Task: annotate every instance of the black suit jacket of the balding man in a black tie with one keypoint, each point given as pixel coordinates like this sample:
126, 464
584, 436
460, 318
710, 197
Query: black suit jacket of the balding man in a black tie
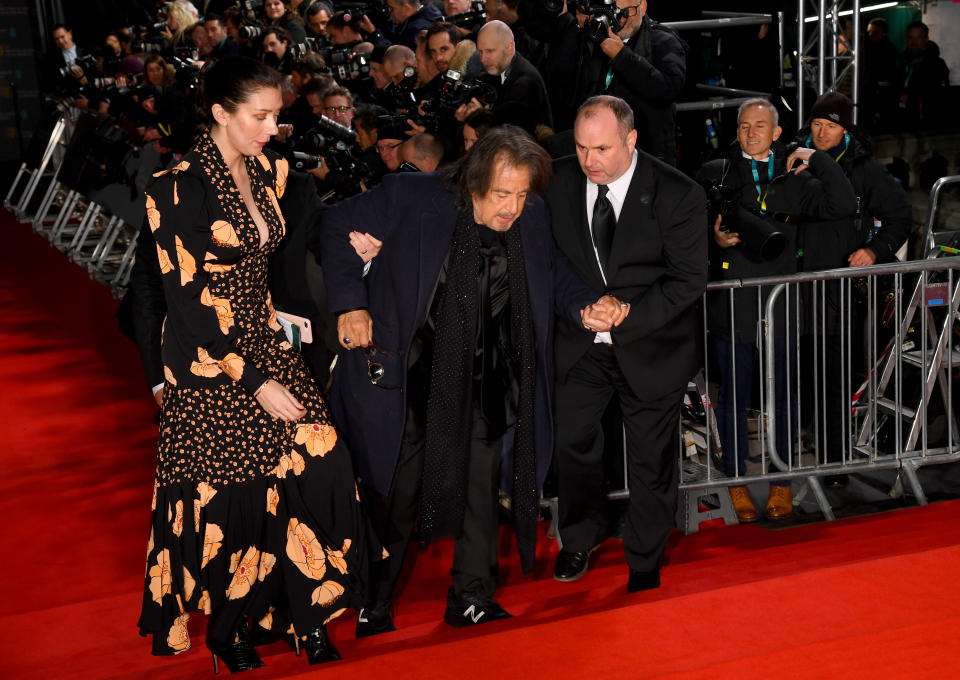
658, 264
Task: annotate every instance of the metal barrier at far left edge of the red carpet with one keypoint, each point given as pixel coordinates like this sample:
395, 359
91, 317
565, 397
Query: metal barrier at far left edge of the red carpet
76, 221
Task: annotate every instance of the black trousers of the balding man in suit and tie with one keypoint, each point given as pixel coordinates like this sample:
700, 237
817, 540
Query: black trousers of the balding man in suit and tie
651, 428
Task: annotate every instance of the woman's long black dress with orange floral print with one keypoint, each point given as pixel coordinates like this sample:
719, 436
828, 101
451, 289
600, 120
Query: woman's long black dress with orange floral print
252, 516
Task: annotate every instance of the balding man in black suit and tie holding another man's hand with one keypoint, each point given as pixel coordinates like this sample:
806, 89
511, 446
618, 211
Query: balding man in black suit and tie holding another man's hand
633, 228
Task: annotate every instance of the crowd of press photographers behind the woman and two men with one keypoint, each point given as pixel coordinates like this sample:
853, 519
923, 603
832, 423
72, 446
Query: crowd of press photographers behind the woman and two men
374, 86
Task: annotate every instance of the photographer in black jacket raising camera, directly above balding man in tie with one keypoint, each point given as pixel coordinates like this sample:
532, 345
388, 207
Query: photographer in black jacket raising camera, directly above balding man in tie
643, 63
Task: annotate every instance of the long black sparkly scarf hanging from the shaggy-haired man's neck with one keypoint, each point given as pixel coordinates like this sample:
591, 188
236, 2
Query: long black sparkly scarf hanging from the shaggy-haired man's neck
449, 402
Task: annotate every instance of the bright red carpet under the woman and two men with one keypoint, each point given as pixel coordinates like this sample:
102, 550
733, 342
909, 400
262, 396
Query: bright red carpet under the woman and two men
874, 597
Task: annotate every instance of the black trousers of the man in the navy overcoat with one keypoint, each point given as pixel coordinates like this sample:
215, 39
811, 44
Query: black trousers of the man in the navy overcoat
395, 515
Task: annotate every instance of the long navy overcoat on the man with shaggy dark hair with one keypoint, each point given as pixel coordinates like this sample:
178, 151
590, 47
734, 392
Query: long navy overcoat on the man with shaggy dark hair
415, 216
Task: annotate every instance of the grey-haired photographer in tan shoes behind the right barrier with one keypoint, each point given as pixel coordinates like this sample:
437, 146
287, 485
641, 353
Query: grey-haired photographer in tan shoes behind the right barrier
754, 193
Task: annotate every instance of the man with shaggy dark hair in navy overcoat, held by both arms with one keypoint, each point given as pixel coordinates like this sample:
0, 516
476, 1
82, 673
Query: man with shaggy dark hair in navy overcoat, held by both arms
444, 391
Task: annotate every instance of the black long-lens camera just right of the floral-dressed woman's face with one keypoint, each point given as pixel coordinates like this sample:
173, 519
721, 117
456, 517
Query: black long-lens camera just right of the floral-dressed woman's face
333, 144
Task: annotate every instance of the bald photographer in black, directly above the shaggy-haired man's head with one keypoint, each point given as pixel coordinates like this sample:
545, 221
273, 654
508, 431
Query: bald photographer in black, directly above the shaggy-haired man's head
522, 96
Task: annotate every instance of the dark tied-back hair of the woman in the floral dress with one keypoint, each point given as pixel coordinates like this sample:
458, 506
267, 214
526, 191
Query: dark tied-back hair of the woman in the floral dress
230, 82
